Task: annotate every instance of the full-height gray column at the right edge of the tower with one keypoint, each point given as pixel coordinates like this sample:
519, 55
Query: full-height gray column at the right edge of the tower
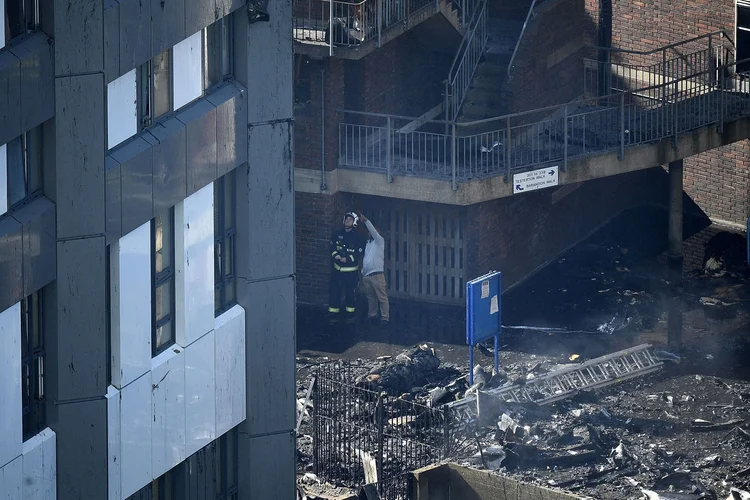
265, 253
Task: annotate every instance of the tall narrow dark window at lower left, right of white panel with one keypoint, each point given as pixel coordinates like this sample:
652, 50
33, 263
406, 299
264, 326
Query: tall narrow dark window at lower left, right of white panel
32, 365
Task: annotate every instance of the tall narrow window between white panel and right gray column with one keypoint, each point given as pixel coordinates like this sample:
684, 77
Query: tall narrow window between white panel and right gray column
225, 292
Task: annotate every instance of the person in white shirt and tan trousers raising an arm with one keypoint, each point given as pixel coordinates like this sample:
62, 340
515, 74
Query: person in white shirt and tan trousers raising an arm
373, 279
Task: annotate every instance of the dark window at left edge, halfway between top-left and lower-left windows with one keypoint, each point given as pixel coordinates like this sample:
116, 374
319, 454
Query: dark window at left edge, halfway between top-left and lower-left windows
24, 167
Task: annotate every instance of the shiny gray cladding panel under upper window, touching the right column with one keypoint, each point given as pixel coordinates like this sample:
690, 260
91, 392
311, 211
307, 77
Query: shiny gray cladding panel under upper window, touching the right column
231, 135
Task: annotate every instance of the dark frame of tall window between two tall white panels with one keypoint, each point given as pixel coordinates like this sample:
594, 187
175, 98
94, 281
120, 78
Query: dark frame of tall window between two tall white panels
158, 279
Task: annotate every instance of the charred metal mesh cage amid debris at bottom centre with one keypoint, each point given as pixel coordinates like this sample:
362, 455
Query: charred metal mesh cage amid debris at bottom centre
361, 436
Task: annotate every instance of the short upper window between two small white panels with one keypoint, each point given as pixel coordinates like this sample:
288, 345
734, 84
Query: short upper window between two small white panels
154, 87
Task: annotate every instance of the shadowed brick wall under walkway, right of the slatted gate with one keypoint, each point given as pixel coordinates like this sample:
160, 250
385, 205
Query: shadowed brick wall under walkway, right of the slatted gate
519, 234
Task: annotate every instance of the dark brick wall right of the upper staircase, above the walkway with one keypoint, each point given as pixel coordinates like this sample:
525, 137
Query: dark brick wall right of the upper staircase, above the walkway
548, 68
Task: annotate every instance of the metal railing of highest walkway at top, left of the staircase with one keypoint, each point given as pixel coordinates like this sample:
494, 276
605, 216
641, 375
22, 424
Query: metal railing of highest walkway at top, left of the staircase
350, 23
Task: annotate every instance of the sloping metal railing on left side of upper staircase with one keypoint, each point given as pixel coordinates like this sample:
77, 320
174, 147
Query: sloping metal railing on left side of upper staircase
466, 61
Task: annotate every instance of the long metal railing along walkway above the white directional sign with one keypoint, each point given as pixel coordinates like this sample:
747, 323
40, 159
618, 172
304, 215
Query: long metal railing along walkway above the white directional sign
688, 99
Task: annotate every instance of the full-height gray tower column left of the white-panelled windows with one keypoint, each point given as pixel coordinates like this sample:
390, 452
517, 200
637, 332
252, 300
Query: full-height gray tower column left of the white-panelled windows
77, 353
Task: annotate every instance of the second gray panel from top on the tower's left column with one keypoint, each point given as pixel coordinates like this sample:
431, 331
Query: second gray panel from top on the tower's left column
79, 142
